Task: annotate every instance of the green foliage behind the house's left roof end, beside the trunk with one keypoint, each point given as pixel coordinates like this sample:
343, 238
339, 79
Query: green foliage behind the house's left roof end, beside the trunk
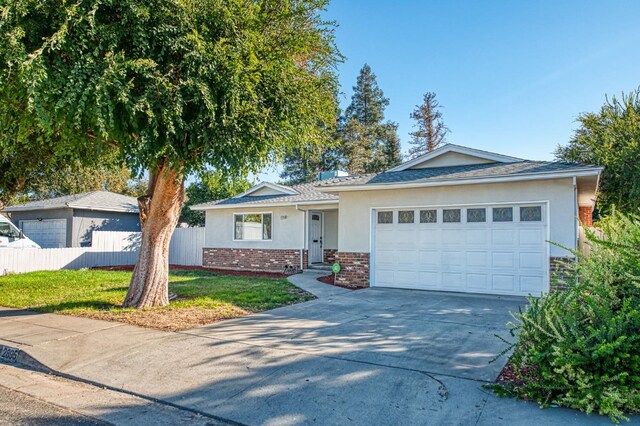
210, 186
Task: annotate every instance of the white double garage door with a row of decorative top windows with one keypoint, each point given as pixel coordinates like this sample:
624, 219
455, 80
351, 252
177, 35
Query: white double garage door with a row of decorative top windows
478, 249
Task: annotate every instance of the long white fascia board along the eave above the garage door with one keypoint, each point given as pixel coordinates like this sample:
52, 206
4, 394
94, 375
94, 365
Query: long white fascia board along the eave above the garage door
499, 179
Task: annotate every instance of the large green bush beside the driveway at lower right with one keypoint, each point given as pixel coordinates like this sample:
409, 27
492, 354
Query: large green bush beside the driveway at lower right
580, 348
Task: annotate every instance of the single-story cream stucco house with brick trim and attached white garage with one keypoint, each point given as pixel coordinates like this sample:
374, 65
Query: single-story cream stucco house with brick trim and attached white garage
455, 219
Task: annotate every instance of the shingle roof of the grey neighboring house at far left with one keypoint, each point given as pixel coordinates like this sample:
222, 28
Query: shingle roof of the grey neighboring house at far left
96, 200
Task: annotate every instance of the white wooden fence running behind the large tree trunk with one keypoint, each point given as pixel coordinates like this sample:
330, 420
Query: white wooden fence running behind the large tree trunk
107, 249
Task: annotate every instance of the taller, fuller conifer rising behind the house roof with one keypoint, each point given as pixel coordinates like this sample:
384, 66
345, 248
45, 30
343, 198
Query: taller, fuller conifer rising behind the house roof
370, 144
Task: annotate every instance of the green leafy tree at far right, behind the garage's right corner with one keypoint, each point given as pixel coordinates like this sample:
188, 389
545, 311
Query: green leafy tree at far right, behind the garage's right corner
611, 138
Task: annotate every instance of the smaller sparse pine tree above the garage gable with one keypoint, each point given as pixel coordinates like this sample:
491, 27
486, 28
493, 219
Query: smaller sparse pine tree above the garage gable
430, 130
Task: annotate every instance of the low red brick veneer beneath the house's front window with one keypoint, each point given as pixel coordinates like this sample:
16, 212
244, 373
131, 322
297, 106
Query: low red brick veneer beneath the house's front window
270, 260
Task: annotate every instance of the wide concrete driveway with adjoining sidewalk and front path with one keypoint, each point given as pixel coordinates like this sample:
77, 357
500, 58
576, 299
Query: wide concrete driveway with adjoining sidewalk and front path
366, 357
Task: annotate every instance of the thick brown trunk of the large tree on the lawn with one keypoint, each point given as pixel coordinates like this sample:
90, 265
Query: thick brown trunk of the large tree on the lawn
159, 214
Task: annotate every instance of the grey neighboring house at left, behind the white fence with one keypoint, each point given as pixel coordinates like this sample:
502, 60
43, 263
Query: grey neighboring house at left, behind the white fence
69, 220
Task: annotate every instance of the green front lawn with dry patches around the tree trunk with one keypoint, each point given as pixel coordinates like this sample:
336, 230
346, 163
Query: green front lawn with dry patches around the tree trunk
202, 297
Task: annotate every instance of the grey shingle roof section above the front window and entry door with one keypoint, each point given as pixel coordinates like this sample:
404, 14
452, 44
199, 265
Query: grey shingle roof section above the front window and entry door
304, 192
